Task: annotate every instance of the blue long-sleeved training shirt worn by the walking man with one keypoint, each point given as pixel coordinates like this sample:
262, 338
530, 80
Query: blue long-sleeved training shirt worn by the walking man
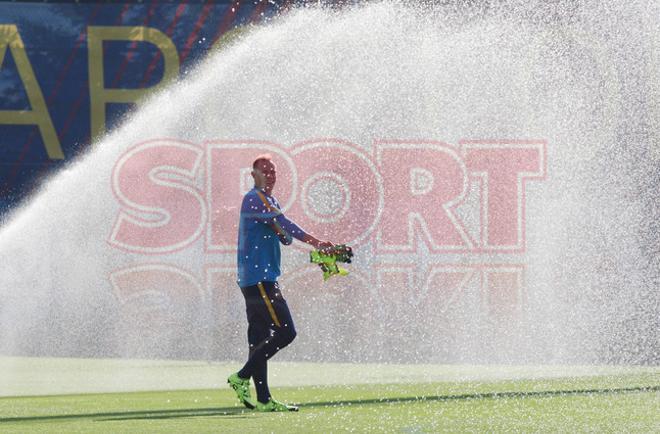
261, 229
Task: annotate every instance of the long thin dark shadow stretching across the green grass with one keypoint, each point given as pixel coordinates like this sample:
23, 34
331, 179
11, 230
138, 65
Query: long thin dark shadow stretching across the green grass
241, 412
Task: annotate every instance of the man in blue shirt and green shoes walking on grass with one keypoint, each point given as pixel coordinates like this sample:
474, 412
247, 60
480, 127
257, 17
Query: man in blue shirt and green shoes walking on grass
262, 227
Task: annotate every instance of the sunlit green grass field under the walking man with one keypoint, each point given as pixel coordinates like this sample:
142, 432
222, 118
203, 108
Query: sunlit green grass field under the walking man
356, 398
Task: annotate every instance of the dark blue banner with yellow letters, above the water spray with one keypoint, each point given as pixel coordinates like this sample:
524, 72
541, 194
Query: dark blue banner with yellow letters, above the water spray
70, 70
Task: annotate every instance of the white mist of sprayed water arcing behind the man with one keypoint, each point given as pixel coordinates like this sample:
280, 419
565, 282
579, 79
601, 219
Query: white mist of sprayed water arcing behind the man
582, 75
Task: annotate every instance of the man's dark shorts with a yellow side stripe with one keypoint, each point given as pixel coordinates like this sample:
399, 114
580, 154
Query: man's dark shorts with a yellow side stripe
267, 312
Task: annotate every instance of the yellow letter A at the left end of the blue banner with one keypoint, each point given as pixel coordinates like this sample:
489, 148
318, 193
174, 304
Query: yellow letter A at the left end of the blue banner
39, 115
